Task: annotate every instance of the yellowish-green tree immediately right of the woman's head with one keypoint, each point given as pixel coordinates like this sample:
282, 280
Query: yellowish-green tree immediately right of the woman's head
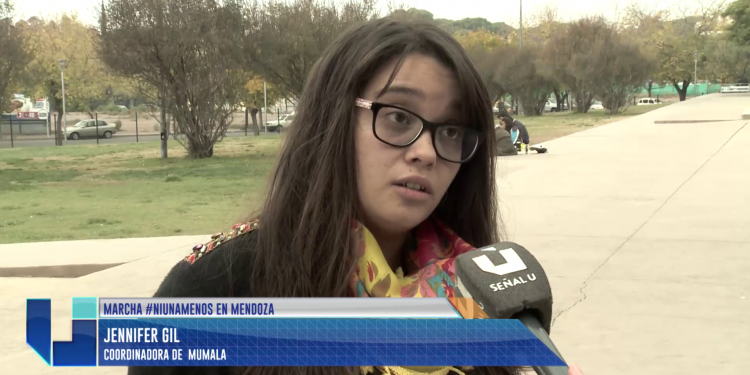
485, 51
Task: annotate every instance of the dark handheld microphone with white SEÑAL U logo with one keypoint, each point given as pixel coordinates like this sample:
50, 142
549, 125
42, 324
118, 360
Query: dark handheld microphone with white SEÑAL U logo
507, 282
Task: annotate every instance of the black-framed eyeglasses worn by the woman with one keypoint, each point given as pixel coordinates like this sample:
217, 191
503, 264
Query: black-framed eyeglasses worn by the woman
399, 127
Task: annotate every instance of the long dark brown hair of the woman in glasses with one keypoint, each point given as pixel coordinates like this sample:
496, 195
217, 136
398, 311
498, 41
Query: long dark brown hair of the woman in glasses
304, 244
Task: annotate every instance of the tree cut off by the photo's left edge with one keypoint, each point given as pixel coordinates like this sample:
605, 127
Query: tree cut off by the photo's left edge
14, 55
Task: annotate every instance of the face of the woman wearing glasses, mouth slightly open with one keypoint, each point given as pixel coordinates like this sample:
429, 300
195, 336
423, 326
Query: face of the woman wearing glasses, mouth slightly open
427, 88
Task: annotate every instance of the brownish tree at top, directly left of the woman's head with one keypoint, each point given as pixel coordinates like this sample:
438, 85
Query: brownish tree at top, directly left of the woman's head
286, 38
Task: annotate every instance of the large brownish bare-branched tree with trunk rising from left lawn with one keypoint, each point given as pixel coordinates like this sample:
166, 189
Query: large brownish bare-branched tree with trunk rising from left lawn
187, 50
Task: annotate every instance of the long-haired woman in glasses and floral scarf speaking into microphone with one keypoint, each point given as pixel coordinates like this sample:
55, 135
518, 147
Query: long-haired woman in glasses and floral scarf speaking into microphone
388, 170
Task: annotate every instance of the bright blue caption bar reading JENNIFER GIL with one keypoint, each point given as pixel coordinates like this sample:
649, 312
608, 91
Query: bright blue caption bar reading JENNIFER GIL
320, 342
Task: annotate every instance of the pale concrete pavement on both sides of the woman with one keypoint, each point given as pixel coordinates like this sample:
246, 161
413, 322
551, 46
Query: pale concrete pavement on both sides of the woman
643, 228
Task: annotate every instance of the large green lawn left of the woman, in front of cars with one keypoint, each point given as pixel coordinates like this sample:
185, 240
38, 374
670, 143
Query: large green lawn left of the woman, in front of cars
127, 190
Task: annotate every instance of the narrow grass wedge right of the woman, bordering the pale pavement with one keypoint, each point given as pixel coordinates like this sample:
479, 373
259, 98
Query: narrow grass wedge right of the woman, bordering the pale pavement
555, 125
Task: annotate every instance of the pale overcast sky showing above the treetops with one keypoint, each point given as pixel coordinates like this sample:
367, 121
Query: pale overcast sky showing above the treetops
493, 10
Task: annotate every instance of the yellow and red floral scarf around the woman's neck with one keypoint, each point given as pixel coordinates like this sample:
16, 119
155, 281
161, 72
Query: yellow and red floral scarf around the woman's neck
429, 272
